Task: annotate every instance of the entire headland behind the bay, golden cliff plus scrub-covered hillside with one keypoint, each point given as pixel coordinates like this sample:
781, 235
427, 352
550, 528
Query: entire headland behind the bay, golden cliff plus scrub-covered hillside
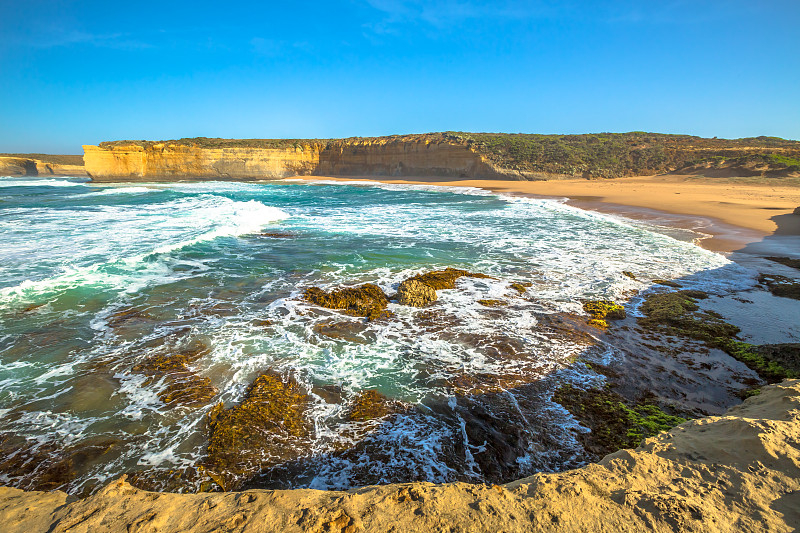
449, 155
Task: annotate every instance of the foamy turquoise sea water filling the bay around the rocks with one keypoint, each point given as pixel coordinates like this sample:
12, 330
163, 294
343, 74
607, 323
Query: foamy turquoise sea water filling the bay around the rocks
96, 278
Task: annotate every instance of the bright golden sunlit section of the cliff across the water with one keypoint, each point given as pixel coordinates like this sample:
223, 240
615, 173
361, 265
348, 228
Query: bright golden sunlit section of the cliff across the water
167, 161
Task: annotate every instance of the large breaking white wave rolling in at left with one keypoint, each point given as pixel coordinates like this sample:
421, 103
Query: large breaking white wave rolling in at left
134, 235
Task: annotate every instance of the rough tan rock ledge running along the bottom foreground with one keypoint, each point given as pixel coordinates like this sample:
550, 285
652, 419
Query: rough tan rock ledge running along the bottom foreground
737, 472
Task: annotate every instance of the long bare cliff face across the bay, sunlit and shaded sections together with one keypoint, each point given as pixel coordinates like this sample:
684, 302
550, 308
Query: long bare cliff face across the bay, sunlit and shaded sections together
388, 156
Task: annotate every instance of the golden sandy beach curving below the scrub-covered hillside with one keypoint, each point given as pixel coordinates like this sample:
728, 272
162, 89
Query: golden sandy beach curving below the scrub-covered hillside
734, 214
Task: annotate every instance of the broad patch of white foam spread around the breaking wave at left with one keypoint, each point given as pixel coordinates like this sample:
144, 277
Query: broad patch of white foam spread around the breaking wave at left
116, 256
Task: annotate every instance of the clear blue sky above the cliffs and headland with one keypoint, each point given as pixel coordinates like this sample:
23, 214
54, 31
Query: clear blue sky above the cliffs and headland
82, 72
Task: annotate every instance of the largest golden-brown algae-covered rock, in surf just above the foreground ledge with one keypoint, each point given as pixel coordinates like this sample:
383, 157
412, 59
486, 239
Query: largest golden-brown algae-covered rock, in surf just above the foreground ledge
270, 426
